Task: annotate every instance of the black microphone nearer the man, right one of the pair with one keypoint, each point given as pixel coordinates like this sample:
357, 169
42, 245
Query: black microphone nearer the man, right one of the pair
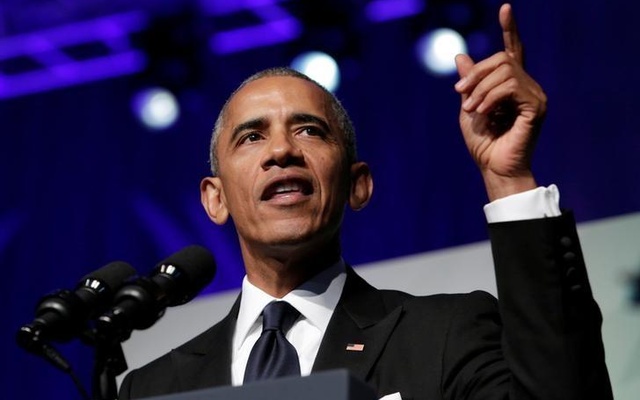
174, 281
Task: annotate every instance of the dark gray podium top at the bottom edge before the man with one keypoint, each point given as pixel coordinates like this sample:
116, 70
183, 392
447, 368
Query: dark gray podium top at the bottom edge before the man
336, 384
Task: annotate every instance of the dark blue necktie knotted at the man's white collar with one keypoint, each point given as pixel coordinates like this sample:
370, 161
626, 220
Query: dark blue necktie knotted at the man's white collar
273, 355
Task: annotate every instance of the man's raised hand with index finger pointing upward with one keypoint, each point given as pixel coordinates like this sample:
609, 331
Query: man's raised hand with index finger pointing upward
501, 113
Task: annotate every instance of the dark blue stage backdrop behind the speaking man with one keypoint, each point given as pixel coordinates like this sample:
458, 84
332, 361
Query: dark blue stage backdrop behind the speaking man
84, 183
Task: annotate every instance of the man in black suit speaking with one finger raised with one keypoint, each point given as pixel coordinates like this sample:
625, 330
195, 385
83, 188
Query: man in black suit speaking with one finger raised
284, 163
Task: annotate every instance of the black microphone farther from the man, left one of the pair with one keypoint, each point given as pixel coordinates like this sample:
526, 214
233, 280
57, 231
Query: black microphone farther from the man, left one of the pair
64, 314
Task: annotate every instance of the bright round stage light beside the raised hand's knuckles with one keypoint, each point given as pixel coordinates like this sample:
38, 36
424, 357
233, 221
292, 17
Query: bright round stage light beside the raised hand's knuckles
437, 49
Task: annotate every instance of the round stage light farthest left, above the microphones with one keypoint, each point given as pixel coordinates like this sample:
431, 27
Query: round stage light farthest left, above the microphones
157, 108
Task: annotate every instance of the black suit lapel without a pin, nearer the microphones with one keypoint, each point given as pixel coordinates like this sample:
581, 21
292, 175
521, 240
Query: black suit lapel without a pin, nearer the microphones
206, 361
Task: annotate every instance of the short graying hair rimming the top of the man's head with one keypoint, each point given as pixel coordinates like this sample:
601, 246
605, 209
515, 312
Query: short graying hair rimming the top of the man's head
339, 113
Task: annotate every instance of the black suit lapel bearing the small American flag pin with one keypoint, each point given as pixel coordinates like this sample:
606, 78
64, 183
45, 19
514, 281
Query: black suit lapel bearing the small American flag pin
361, 317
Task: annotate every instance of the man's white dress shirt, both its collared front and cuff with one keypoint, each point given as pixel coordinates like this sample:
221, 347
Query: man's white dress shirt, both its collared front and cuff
317, 298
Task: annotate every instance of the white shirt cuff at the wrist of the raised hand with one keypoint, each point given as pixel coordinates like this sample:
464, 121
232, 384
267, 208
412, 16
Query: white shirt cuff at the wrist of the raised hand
533, 204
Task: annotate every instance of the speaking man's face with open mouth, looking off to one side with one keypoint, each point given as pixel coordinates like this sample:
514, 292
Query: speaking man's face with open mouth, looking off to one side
283, 174
